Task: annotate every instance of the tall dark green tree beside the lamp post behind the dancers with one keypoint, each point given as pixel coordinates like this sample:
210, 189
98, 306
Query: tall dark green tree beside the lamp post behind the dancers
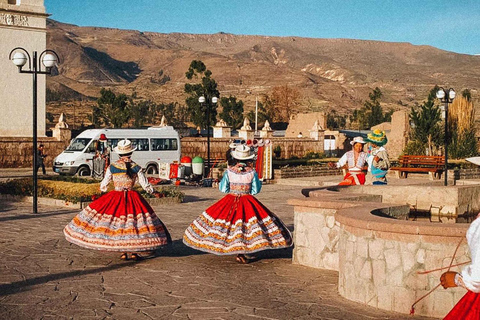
207, 88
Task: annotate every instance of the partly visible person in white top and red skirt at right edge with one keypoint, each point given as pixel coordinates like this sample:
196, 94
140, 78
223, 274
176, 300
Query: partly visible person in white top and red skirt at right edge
468, 308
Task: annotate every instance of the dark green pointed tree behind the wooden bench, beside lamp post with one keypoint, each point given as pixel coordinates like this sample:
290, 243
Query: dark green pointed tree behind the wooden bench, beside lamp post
426, 131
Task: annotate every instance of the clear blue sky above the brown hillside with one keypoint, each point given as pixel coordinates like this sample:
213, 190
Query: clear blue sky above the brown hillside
449, 25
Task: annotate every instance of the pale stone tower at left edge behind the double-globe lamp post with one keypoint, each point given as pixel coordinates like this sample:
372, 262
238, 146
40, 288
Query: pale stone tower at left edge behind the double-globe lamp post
22, 24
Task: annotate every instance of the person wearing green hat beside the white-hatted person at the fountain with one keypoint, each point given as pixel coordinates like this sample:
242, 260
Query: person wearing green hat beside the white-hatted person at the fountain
378, 162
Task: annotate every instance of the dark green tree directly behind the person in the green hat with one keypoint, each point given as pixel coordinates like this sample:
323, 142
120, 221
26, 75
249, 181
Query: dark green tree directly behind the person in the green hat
371, 113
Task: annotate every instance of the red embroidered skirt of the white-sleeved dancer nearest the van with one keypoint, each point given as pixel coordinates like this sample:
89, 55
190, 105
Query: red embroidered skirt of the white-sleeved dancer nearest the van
118, 221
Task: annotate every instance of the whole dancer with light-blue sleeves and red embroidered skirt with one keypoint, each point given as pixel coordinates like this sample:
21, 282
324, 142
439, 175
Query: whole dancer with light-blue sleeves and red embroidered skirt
238, 223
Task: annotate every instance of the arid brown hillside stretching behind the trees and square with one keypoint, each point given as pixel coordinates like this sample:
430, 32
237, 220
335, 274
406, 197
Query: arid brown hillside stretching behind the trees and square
329, 73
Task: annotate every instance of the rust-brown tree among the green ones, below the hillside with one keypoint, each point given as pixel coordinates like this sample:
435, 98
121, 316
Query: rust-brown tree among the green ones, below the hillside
286, 102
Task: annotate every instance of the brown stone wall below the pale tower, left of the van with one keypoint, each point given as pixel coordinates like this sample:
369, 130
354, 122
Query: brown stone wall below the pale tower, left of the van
16, 152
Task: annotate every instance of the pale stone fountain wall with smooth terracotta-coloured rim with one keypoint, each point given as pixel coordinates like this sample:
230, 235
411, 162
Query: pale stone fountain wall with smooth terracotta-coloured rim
378, 258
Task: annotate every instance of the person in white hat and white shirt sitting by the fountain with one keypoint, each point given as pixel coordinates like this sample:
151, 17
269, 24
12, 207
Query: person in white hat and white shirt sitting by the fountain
356, 161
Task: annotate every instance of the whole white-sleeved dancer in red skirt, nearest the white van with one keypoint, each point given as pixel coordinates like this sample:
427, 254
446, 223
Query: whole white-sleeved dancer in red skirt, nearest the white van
121, 220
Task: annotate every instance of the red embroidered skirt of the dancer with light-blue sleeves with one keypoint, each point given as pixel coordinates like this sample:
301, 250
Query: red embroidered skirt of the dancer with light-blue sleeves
237, 224
